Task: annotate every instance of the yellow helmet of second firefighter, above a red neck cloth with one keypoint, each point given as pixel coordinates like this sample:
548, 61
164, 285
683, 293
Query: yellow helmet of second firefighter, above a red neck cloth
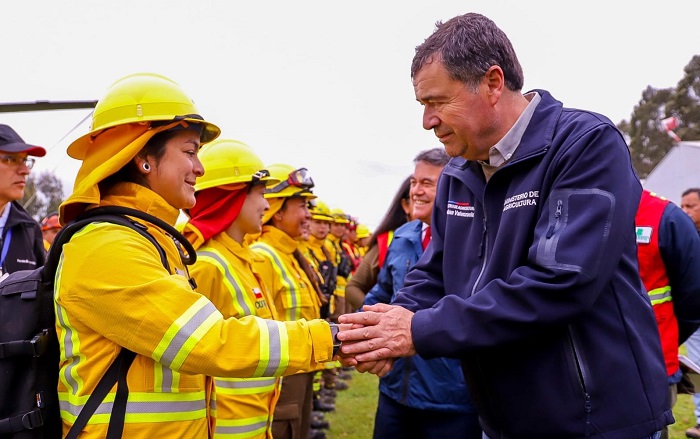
228, 161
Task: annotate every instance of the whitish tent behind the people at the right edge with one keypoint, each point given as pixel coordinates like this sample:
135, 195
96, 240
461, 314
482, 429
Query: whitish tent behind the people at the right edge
676, 172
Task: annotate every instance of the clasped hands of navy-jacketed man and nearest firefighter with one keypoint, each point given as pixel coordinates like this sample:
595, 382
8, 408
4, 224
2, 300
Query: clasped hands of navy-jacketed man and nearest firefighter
371, 339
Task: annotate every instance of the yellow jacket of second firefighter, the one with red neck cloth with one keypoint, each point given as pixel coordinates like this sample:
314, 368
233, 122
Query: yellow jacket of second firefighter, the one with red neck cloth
242, 407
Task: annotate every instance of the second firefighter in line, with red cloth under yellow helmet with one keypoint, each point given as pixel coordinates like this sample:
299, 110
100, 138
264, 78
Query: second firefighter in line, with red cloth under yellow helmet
230, 204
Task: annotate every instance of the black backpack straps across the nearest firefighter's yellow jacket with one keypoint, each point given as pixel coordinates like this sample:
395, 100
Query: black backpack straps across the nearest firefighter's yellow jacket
117, 371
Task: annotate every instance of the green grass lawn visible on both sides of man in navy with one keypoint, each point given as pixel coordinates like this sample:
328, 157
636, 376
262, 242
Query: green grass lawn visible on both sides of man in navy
354, 414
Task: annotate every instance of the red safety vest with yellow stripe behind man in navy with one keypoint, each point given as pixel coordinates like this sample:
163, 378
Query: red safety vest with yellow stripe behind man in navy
654, 276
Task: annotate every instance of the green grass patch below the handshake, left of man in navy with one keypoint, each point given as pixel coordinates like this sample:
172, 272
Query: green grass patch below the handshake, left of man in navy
355, 408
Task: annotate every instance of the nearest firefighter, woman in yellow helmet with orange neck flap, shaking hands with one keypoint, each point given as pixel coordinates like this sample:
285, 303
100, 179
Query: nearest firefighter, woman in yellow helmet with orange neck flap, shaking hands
112, 291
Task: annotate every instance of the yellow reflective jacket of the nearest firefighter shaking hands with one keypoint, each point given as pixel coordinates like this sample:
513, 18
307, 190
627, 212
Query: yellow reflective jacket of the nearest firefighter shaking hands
112, 291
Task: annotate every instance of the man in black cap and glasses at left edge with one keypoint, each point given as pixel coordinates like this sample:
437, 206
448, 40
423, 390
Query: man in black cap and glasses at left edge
21, 241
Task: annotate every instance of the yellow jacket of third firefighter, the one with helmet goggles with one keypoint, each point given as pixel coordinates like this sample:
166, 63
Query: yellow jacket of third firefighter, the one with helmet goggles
293, 295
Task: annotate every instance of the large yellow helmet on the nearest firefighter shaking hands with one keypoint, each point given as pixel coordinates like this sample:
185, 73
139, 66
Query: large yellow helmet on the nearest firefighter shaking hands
142, 98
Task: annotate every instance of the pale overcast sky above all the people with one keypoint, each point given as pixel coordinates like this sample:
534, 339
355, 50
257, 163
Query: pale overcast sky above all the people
323, 84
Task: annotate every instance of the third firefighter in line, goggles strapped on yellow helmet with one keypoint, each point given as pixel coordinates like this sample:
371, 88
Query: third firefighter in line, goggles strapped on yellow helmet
293, 285
